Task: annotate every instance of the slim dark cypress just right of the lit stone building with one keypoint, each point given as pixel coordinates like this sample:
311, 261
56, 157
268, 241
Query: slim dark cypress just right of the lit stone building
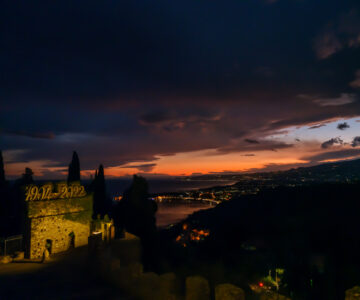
102, 203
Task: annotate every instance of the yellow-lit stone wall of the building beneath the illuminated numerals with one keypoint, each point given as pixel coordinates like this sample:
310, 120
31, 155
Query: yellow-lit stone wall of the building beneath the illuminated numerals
62, 222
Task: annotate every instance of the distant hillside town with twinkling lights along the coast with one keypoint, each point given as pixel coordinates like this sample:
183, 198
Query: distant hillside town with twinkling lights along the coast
252, 183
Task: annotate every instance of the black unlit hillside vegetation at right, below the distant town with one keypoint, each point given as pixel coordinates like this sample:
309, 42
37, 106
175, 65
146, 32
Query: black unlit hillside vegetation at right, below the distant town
310, 232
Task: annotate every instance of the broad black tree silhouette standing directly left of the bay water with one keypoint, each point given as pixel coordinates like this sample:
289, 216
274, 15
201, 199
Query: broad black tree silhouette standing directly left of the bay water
136, 213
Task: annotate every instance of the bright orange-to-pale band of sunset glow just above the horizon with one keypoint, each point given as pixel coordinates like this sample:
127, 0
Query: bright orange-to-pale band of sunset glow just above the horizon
209, 161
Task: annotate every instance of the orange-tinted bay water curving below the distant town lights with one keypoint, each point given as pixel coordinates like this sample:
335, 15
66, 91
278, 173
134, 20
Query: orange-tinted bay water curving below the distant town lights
173, 213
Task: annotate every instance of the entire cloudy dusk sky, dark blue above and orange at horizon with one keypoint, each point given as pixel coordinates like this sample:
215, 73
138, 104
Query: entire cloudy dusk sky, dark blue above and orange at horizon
178, 87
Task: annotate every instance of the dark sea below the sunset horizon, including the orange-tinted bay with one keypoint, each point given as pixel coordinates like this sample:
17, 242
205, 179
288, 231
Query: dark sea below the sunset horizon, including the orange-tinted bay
168, 214
